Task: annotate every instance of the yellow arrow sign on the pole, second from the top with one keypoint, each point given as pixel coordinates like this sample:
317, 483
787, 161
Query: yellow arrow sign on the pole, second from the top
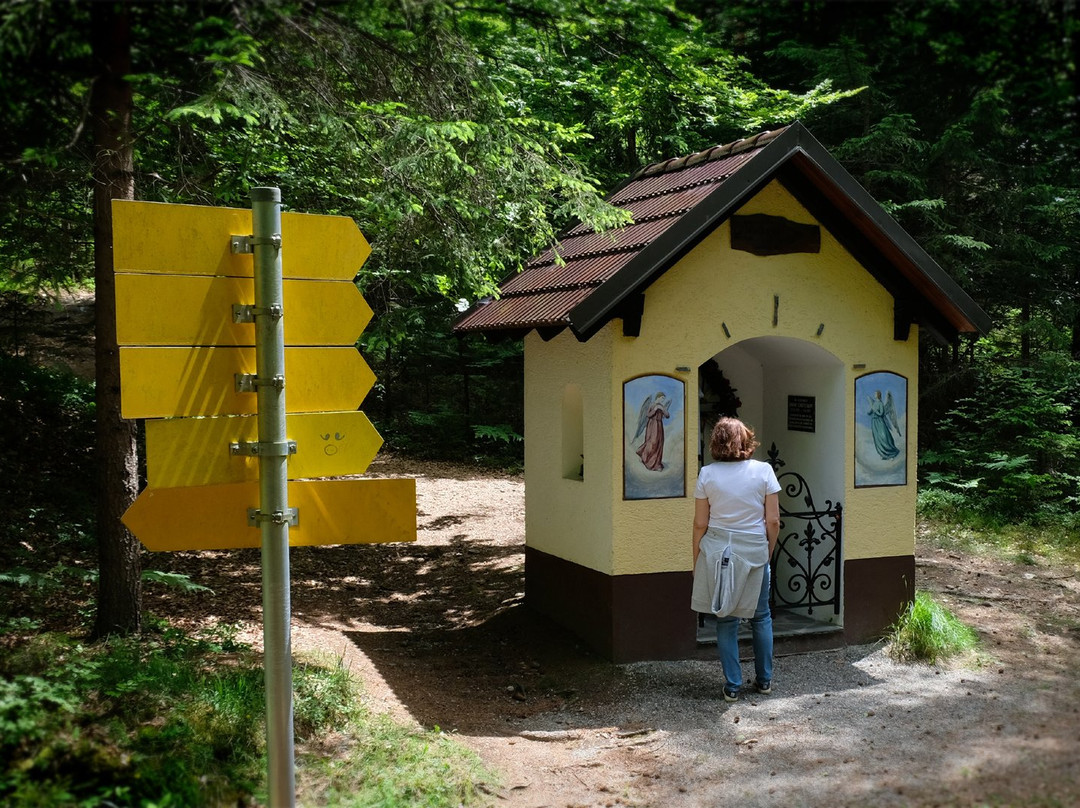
195, 311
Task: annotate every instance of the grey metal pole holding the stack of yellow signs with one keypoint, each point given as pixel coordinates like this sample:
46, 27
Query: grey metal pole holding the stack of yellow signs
274, 494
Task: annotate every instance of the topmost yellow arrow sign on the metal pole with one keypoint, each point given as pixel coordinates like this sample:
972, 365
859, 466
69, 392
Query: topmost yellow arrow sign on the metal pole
154, 237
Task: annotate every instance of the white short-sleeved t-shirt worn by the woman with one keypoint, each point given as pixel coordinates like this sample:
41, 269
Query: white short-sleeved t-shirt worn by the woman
736, 492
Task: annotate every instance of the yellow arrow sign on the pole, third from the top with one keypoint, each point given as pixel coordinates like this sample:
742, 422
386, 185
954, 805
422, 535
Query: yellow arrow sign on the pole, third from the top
166, 383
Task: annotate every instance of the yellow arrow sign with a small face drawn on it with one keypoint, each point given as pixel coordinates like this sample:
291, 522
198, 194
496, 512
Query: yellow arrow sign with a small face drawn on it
186, 452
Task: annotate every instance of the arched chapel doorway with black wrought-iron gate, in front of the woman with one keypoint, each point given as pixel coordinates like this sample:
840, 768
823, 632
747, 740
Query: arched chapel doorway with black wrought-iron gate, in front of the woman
792, 393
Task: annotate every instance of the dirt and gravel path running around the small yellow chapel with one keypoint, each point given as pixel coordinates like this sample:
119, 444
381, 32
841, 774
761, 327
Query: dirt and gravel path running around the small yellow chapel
440, 637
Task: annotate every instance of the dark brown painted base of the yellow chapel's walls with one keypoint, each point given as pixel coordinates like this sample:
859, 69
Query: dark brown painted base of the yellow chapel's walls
631, 618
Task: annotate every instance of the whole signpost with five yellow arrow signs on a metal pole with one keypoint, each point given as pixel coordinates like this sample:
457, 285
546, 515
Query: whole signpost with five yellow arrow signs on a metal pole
196, 359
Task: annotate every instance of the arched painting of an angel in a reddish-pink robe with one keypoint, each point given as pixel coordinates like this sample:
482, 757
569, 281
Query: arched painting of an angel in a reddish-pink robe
654, 446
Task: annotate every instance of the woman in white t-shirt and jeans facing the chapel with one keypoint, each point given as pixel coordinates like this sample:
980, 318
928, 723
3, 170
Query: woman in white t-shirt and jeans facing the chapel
736, 526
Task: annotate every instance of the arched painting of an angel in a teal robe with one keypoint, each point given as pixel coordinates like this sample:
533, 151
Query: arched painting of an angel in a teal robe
881, 429
